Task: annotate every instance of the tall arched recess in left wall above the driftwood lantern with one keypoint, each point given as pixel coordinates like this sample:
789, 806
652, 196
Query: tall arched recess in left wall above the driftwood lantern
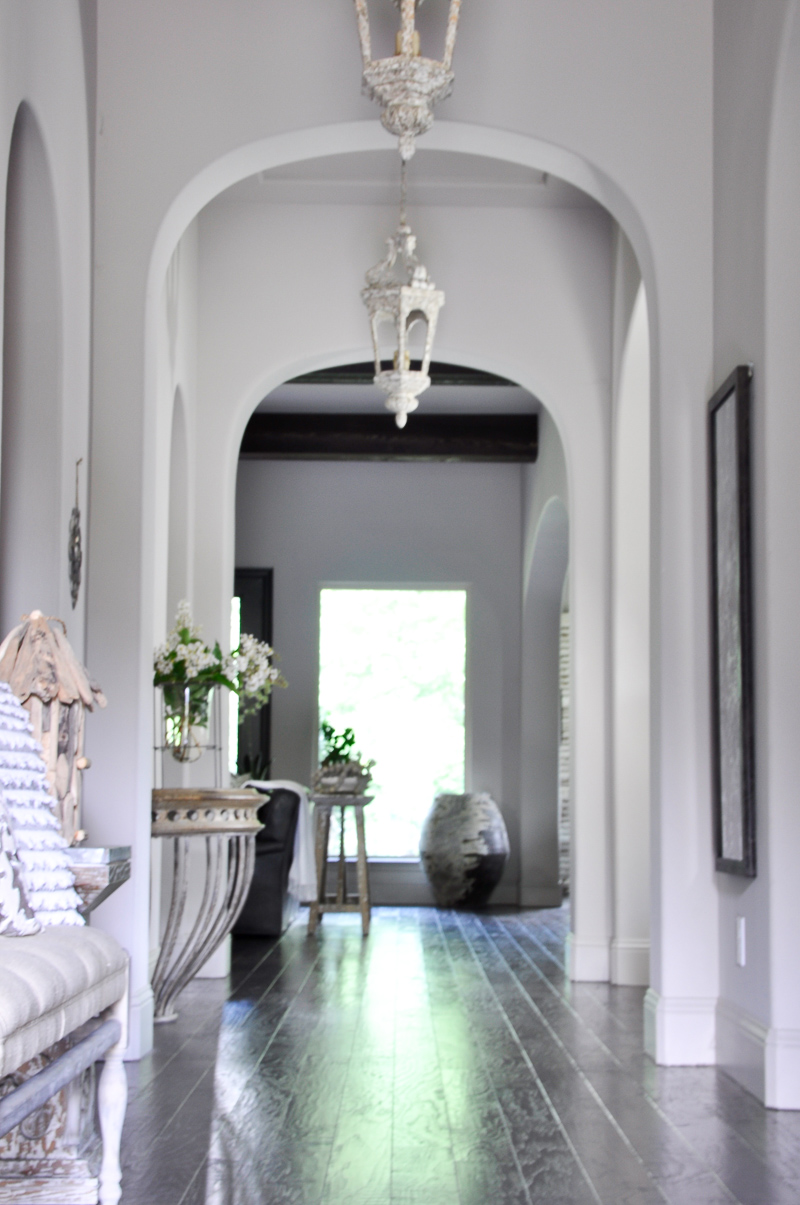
31, 497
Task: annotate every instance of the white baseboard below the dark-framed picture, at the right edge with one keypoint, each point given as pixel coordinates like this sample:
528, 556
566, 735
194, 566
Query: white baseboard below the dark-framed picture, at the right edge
764, 1061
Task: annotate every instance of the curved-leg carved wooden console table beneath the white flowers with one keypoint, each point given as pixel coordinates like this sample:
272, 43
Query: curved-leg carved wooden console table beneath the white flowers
228, 822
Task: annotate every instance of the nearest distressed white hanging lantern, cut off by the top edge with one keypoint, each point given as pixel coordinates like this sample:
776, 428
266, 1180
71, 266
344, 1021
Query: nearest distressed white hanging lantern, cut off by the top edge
408, 86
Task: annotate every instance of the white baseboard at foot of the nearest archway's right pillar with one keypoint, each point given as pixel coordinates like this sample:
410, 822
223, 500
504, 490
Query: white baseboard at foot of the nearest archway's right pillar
681, 1031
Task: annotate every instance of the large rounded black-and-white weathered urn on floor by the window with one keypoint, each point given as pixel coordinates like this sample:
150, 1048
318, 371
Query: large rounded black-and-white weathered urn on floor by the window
464, 849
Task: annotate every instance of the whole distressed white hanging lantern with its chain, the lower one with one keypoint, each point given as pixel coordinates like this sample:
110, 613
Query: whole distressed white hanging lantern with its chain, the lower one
404, 305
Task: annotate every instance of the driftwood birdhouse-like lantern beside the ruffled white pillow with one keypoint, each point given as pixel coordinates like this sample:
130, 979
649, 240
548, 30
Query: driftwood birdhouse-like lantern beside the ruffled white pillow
40, 667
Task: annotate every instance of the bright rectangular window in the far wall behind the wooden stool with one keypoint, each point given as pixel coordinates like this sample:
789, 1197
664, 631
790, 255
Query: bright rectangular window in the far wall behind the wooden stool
392, 668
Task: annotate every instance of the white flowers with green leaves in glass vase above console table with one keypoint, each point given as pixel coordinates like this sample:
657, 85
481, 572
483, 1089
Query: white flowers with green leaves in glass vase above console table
189, 671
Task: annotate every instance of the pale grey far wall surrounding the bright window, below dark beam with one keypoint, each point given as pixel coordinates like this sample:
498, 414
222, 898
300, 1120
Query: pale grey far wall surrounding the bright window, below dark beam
389, 524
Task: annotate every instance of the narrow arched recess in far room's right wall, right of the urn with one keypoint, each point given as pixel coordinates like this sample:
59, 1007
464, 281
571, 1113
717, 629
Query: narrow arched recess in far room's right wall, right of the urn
544, 577
